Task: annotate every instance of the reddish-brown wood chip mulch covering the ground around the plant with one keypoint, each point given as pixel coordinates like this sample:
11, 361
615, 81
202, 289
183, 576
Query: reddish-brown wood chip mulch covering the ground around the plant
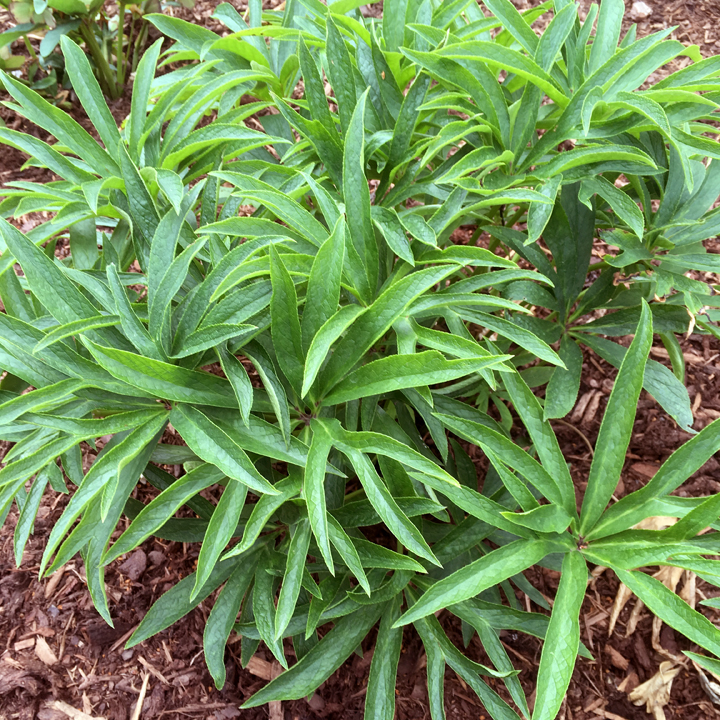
59, 660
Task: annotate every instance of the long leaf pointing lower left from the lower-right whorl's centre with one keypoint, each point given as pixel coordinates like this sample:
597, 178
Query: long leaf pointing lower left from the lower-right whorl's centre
480, 575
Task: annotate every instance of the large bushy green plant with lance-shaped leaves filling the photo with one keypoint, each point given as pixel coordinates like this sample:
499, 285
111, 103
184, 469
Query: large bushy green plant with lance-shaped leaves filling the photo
376, 346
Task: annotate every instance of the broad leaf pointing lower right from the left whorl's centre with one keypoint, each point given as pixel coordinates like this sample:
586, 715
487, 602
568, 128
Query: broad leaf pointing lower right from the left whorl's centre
213, 445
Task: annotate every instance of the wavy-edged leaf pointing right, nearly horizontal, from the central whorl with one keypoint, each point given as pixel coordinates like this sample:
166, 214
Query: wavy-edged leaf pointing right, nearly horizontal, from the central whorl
404, 371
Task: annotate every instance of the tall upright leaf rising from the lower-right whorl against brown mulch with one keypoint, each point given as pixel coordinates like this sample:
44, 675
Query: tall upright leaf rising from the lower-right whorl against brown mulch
616, 426
